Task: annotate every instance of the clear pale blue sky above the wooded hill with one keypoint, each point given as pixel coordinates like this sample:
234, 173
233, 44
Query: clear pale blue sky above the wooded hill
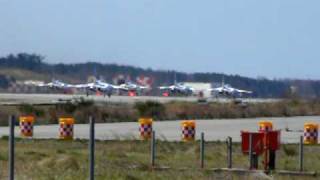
254, 38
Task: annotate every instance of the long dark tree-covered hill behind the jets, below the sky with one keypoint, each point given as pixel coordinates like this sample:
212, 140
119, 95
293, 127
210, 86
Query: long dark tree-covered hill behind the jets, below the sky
25, 66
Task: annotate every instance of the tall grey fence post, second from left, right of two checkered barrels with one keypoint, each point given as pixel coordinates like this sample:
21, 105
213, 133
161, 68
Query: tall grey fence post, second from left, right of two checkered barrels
91, 147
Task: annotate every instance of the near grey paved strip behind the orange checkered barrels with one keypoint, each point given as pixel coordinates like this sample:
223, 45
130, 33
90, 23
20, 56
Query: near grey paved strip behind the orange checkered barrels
170, 130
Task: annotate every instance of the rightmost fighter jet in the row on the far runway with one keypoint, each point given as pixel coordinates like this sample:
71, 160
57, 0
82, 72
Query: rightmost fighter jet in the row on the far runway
227, 90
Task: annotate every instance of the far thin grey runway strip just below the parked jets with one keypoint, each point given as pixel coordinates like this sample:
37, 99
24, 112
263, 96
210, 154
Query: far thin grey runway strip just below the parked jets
11, 99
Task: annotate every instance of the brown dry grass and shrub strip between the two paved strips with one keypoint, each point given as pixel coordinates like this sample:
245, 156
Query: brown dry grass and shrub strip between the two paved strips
118, 112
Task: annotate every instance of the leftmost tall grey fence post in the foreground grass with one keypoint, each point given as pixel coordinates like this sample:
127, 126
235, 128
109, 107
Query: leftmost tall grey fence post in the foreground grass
11, 147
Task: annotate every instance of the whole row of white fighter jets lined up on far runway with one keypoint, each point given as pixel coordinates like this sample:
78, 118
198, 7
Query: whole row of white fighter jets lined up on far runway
133, 89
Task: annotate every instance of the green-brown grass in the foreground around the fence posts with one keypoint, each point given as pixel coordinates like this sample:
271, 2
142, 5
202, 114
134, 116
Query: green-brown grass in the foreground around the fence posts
54, 159
